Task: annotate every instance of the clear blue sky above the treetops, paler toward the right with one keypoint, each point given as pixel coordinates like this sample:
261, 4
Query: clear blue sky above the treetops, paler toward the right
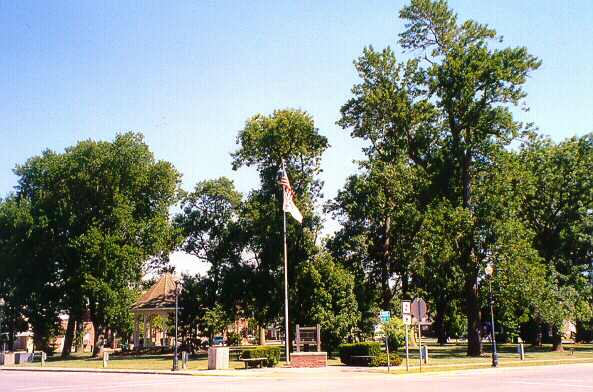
189, 73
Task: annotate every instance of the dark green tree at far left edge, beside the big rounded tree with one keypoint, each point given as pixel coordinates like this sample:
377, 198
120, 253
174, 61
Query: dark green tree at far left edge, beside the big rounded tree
25, 272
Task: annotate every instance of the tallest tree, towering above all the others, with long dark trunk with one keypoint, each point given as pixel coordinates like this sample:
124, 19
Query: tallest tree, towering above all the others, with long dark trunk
450, 108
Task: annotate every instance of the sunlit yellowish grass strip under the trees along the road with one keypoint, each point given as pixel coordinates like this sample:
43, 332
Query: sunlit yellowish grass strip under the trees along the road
448, 357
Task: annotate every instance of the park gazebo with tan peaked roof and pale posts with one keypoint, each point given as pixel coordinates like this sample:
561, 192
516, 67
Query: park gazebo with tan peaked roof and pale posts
159, 300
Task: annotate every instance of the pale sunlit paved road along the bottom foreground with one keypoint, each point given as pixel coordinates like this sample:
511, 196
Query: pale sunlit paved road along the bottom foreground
566, 378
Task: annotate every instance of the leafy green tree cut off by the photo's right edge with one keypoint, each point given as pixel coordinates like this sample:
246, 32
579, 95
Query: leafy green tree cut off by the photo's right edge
558, 208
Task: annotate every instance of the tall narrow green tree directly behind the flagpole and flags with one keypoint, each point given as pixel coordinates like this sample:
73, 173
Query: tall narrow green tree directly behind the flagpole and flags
263, 143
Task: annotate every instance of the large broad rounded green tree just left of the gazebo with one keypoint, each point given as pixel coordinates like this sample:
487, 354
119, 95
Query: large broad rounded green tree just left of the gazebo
102, 208
